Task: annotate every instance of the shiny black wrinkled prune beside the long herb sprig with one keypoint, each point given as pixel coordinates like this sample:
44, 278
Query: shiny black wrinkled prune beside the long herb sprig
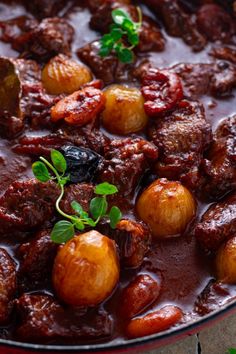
82, 163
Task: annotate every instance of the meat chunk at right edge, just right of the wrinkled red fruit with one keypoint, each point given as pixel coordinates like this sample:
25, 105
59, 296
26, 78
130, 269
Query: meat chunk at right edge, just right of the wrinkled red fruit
217, 79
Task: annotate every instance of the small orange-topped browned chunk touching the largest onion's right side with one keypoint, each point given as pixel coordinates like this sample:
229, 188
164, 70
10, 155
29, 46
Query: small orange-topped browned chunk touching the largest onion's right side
133, 239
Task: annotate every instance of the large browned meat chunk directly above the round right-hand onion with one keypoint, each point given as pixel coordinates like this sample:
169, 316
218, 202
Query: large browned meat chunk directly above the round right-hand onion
181, 136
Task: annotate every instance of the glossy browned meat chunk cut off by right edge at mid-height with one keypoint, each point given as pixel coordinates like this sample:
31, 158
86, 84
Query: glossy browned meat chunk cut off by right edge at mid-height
220, 164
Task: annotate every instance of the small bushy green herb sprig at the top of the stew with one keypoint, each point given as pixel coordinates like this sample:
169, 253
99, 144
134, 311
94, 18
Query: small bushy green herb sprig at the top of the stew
123, 36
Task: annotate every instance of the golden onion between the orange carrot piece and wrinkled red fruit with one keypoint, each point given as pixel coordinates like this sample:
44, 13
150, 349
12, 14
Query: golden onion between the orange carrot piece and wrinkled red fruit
124, 110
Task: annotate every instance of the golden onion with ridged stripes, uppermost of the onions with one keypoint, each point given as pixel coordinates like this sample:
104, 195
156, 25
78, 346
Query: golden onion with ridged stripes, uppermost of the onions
64, 75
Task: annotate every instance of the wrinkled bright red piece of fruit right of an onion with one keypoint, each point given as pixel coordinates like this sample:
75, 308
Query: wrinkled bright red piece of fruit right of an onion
161, 90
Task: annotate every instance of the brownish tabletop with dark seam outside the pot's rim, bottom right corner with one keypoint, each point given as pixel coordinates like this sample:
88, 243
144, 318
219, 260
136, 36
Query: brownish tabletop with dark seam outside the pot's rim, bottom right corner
215, 340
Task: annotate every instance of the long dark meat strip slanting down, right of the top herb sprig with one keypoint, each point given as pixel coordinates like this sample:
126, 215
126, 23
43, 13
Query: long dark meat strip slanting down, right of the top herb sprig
177, 22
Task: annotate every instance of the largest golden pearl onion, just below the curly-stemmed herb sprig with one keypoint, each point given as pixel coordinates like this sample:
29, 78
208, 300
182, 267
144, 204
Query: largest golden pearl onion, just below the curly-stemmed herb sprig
86, 270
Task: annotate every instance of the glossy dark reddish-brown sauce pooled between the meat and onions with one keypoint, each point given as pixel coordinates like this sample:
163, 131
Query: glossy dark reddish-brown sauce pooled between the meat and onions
179, 262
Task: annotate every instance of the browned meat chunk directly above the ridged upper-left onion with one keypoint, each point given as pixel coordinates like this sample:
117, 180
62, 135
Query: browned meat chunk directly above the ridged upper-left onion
38, 40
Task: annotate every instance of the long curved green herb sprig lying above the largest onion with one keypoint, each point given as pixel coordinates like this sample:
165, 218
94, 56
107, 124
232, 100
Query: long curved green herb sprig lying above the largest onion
64, 230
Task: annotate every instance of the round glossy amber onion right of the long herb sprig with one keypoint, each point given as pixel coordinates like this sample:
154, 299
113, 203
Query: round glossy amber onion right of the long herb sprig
167, 207
